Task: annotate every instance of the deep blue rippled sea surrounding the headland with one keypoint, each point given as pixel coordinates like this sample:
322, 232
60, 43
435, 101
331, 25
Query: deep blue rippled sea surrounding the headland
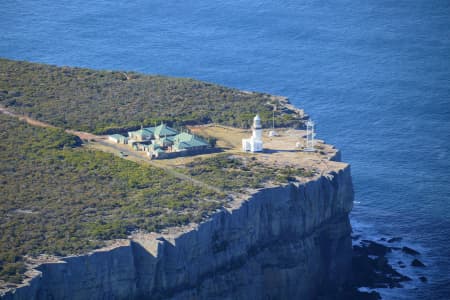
373, 74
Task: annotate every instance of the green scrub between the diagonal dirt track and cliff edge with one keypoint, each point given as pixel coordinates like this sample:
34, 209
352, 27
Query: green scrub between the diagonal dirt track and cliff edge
58, 198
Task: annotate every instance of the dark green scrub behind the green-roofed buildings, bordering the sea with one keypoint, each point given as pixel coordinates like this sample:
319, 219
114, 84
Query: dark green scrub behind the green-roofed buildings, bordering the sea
113, 101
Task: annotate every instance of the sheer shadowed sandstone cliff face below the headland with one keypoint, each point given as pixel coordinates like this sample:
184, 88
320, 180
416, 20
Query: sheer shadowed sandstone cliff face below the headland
282, 243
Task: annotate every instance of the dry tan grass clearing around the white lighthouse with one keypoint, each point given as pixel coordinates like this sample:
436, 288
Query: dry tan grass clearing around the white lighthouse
280, 151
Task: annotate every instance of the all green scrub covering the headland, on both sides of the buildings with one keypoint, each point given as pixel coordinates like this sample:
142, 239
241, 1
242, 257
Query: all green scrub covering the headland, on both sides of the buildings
59, 197
